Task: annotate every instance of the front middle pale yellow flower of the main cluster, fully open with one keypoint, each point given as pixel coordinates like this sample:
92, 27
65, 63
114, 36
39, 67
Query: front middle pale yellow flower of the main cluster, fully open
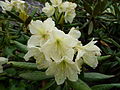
59, 45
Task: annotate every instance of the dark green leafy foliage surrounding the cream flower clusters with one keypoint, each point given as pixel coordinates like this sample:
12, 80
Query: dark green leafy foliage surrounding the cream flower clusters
95, 18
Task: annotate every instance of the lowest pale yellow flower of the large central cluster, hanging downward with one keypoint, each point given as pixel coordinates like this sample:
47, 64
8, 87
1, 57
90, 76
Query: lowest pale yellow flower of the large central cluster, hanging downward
63, 70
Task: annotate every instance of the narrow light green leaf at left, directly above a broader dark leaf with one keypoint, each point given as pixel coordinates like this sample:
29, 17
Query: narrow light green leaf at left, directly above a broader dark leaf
25, 65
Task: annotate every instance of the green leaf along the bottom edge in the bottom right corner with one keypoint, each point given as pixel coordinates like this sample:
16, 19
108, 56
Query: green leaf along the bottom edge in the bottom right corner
105, 86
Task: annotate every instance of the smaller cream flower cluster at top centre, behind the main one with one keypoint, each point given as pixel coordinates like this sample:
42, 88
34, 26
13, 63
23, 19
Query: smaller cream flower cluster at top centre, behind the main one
59, 7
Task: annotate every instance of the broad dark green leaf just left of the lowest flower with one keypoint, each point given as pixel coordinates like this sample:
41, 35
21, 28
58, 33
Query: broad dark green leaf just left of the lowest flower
36, 75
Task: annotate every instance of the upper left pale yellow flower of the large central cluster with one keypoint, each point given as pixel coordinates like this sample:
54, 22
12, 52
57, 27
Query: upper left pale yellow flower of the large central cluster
41, 32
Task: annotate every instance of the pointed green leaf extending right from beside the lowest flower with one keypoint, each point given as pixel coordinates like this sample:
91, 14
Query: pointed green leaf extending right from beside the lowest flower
96, 76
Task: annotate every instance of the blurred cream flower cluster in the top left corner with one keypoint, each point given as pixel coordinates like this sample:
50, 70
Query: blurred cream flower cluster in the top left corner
19, 5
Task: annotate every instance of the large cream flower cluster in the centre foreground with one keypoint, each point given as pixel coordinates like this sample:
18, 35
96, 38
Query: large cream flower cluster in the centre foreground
56, 51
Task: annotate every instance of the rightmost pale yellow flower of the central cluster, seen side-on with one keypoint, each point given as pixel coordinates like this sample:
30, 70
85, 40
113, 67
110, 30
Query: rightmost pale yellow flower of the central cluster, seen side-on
88, 54
